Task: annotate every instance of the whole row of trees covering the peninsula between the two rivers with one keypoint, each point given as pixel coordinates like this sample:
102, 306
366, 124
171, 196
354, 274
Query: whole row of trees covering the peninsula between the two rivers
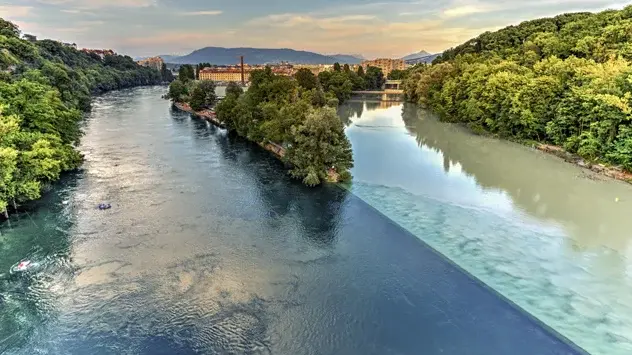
296, 113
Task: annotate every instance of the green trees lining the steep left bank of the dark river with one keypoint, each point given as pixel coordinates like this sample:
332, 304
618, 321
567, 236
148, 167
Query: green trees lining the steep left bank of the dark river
44, 87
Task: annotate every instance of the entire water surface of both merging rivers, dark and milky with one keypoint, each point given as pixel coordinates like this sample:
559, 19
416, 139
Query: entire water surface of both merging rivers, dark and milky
209, 248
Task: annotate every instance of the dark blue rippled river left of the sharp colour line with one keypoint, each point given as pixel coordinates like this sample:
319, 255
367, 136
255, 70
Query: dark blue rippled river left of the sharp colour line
209, 248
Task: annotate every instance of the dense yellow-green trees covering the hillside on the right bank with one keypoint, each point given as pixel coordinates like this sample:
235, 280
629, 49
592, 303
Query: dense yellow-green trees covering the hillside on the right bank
565, 80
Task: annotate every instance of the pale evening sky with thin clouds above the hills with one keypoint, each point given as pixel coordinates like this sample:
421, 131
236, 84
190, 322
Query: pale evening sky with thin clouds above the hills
372, 28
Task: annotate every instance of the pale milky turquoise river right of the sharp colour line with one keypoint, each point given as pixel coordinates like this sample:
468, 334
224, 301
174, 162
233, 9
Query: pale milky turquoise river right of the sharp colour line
545, 233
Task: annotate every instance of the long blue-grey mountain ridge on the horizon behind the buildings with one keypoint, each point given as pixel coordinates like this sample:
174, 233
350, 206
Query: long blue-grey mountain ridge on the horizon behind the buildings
229, 56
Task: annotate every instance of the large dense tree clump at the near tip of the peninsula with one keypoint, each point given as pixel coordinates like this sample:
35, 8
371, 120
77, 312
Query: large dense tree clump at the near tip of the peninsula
302, 119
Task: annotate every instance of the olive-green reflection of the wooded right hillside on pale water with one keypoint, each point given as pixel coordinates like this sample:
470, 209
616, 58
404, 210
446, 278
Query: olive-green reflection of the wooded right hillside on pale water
539, 184
